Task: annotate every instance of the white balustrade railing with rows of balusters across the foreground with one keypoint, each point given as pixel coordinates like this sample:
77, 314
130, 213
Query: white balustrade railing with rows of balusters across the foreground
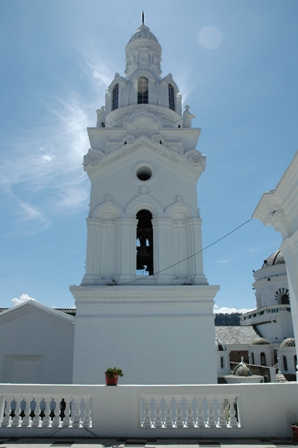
176, 411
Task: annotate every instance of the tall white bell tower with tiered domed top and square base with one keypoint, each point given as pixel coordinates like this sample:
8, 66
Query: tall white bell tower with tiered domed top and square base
144, 303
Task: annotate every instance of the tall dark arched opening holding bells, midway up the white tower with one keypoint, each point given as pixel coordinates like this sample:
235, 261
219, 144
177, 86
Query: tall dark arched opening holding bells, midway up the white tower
144, 244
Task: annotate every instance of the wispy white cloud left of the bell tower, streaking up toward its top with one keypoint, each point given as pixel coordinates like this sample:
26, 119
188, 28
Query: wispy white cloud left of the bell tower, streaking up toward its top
42, 173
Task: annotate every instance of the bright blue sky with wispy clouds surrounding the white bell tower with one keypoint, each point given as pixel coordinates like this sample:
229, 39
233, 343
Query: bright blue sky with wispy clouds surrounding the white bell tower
235, 62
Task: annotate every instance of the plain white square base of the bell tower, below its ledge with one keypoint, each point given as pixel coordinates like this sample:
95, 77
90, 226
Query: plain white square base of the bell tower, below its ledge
157, 335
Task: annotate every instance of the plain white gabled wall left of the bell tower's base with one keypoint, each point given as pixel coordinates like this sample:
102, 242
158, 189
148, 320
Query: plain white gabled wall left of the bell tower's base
36, 345
